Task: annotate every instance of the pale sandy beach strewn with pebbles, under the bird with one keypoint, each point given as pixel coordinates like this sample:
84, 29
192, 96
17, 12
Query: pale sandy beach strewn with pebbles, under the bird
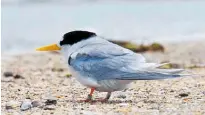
44, 76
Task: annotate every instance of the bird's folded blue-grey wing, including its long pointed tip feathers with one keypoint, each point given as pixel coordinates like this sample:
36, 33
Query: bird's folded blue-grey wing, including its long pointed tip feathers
104, 62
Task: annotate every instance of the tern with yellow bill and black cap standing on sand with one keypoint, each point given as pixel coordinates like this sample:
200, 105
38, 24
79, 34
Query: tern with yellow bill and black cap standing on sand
104, 66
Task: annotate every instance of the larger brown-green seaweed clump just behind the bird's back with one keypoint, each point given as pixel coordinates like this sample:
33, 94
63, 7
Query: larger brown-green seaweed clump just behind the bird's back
155, 47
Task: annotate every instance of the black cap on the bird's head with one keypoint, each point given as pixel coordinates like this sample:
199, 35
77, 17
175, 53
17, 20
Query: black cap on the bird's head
76, 36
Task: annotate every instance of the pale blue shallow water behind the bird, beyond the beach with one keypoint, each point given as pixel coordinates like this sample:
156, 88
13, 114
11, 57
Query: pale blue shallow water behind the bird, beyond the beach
26, 26
